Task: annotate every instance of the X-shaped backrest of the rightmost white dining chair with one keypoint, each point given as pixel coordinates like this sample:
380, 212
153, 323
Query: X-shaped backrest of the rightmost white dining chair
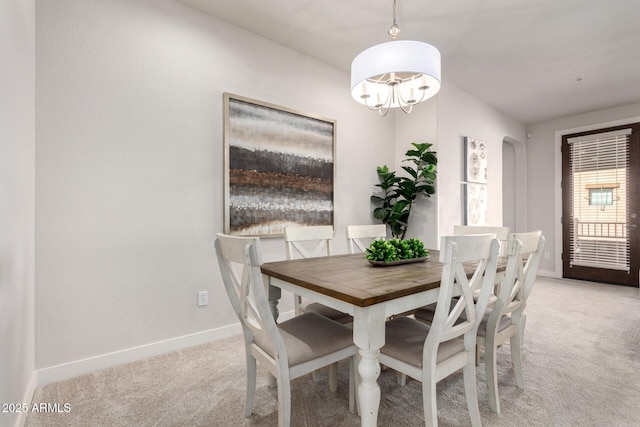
525, 252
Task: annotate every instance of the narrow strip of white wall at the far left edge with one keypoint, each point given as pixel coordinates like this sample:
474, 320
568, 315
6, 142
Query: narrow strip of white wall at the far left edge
17, 142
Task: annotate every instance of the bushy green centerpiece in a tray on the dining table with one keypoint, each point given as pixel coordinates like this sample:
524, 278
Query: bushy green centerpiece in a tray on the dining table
396, 251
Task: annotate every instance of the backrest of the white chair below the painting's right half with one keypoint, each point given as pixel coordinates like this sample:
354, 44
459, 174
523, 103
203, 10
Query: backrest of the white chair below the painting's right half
308, 241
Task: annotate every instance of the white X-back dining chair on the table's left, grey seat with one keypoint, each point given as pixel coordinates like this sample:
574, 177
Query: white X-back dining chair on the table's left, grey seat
287, 350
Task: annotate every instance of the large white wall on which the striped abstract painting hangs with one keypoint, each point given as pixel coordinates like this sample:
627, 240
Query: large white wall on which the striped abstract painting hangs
130, 171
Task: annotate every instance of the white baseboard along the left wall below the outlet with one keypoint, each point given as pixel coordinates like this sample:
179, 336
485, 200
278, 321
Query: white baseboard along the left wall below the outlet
84, 366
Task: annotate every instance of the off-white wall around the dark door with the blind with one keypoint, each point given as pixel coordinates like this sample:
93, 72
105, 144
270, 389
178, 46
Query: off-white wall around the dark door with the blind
544, 172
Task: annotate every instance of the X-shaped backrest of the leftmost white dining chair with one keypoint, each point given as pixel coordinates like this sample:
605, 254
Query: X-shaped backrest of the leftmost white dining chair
239, 261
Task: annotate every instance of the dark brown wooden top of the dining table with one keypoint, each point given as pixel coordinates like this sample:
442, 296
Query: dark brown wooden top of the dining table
351, 278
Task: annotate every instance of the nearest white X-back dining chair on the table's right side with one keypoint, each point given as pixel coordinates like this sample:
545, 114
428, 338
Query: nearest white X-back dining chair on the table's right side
431, 353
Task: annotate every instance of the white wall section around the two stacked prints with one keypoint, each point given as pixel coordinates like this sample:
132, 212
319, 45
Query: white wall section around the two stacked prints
460, 115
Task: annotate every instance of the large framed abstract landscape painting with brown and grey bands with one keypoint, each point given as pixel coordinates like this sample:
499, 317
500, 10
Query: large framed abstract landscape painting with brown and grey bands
279, 168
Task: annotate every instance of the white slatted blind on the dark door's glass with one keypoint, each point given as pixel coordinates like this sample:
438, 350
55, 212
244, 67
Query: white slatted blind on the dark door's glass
599, 164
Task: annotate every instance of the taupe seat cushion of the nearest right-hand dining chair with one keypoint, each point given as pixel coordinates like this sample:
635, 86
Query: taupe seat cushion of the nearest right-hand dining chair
405, 339
